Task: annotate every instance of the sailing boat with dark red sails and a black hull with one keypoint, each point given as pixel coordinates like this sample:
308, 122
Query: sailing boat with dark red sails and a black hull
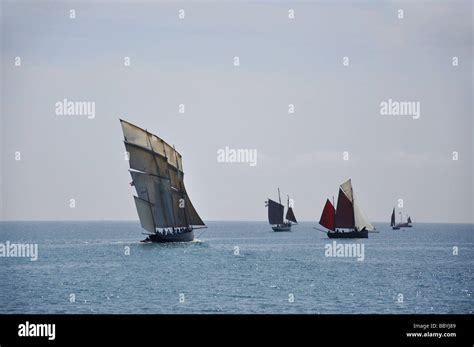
348, 215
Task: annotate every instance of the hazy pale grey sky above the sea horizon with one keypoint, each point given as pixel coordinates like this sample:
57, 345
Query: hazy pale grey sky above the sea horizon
283, 61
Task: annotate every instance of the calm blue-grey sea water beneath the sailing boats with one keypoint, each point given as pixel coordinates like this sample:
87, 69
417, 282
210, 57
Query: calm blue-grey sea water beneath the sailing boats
88, 259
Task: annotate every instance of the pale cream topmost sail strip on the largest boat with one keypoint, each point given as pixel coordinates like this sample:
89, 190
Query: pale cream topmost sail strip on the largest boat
143, 138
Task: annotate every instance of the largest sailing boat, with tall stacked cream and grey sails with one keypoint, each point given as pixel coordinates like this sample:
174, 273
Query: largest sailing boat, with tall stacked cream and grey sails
164, 208
